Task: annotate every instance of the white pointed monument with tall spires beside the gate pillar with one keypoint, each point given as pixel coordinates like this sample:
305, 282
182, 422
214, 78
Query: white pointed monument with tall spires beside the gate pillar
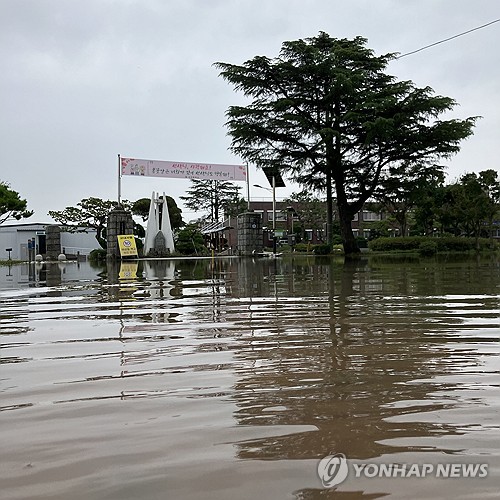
159, 238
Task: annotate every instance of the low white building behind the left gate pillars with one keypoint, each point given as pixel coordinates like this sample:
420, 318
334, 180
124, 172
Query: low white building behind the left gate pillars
19, 237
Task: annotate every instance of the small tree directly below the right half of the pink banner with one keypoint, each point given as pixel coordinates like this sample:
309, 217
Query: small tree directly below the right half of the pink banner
211, 196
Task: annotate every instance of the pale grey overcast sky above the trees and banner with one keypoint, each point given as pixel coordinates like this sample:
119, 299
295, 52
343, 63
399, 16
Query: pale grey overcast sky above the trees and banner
83, 81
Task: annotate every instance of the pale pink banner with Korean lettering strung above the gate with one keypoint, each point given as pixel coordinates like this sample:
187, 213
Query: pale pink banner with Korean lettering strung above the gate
207, 171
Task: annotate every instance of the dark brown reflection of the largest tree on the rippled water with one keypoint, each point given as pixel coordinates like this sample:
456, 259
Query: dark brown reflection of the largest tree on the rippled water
341, 364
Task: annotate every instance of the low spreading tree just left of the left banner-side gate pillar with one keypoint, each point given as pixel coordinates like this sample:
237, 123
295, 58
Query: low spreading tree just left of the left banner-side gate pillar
88, 213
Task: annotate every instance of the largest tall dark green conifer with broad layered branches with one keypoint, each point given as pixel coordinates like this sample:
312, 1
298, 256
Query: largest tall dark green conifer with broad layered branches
326, 112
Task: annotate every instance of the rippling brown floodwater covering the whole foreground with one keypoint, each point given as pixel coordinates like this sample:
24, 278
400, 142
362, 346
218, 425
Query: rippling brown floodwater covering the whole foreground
232, 379
